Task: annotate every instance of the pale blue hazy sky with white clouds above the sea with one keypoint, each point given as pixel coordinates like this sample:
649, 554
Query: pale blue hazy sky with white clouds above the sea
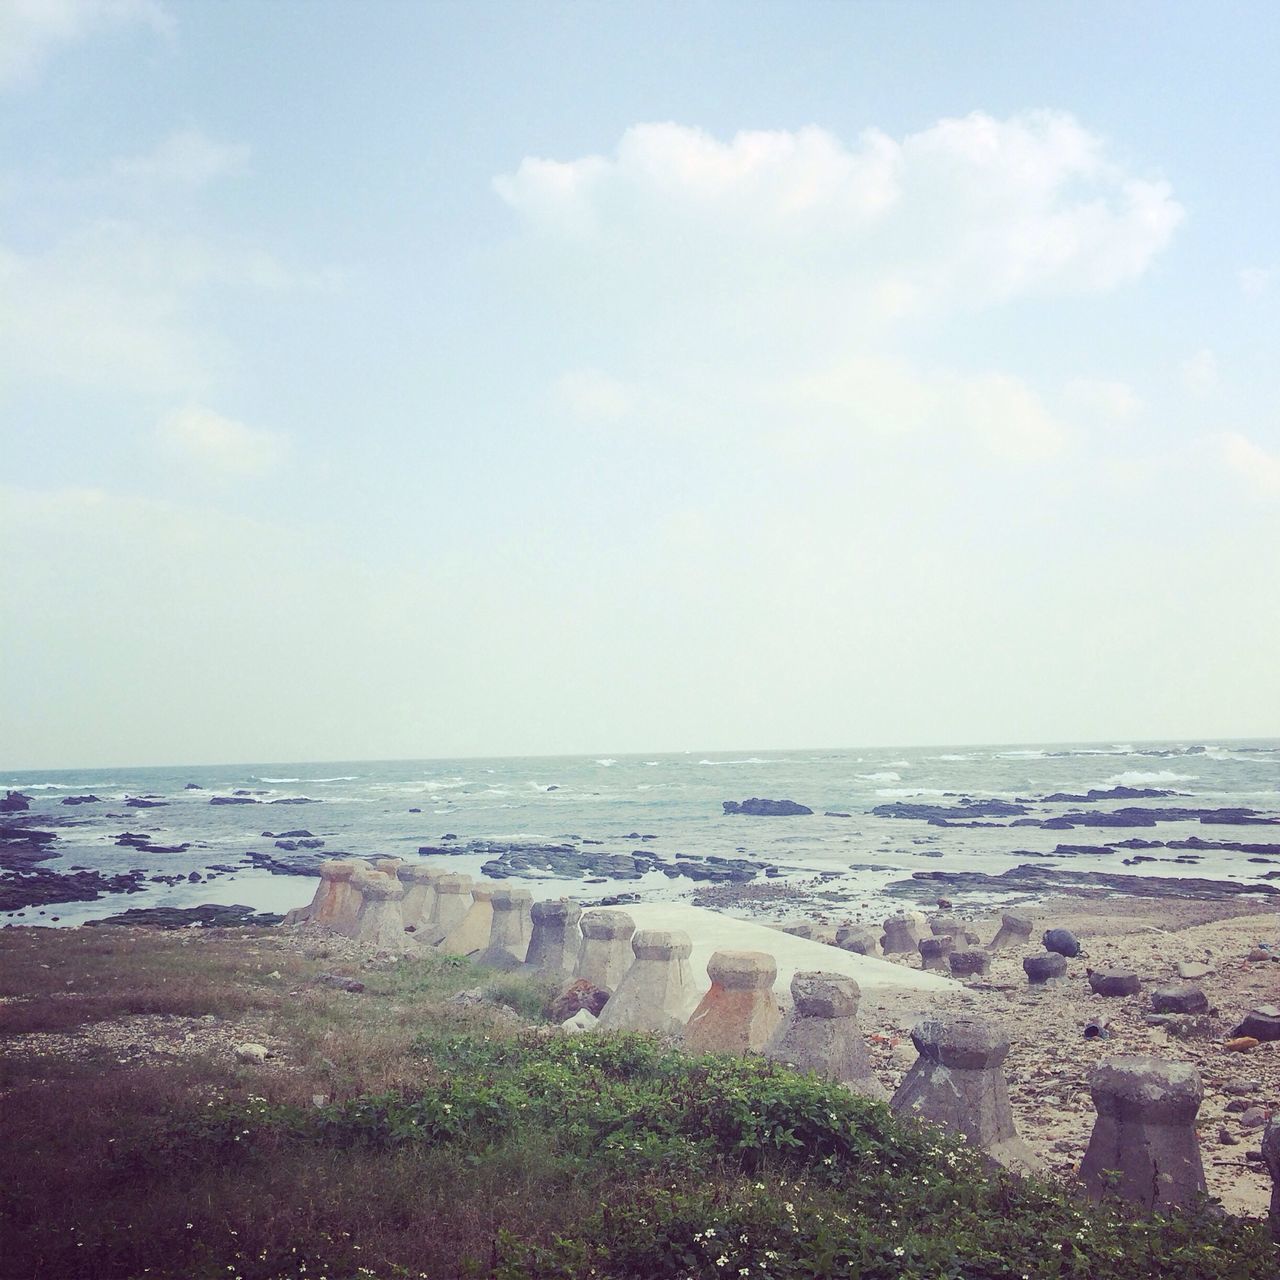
387, 381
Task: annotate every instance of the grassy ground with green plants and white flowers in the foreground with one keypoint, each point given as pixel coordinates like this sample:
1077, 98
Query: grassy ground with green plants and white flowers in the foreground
400, 1135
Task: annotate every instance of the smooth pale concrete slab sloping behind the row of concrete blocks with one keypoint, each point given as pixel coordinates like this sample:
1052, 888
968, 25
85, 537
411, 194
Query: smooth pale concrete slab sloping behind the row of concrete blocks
712, 931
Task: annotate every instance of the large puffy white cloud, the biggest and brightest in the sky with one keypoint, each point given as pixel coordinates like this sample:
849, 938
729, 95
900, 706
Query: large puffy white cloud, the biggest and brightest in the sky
968, 213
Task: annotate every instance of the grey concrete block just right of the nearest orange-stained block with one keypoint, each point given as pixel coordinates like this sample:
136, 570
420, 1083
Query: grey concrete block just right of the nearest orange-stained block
822, 1035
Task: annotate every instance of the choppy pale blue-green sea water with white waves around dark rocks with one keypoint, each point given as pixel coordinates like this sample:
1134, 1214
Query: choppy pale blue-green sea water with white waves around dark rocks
363, 808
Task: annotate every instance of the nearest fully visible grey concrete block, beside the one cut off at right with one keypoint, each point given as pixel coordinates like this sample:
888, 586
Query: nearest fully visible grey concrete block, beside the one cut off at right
1144, 1146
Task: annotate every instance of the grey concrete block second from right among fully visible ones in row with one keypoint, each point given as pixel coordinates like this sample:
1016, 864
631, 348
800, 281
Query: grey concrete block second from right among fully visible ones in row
958, 1084
